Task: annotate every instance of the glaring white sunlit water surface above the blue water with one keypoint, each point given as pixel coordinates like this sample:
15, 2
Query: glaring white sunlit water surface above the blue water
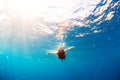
34, 18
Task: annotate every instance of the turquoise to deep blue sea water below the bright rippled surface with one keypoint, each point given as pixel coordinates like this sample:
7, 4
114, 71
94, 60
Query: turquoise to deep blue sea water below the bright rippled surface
95, 56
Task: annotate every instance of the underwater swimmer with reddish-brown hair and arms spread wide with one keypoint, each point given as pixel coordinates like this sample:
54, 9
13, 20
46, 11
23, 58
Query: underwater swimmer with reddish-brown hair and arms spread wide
61, 52
